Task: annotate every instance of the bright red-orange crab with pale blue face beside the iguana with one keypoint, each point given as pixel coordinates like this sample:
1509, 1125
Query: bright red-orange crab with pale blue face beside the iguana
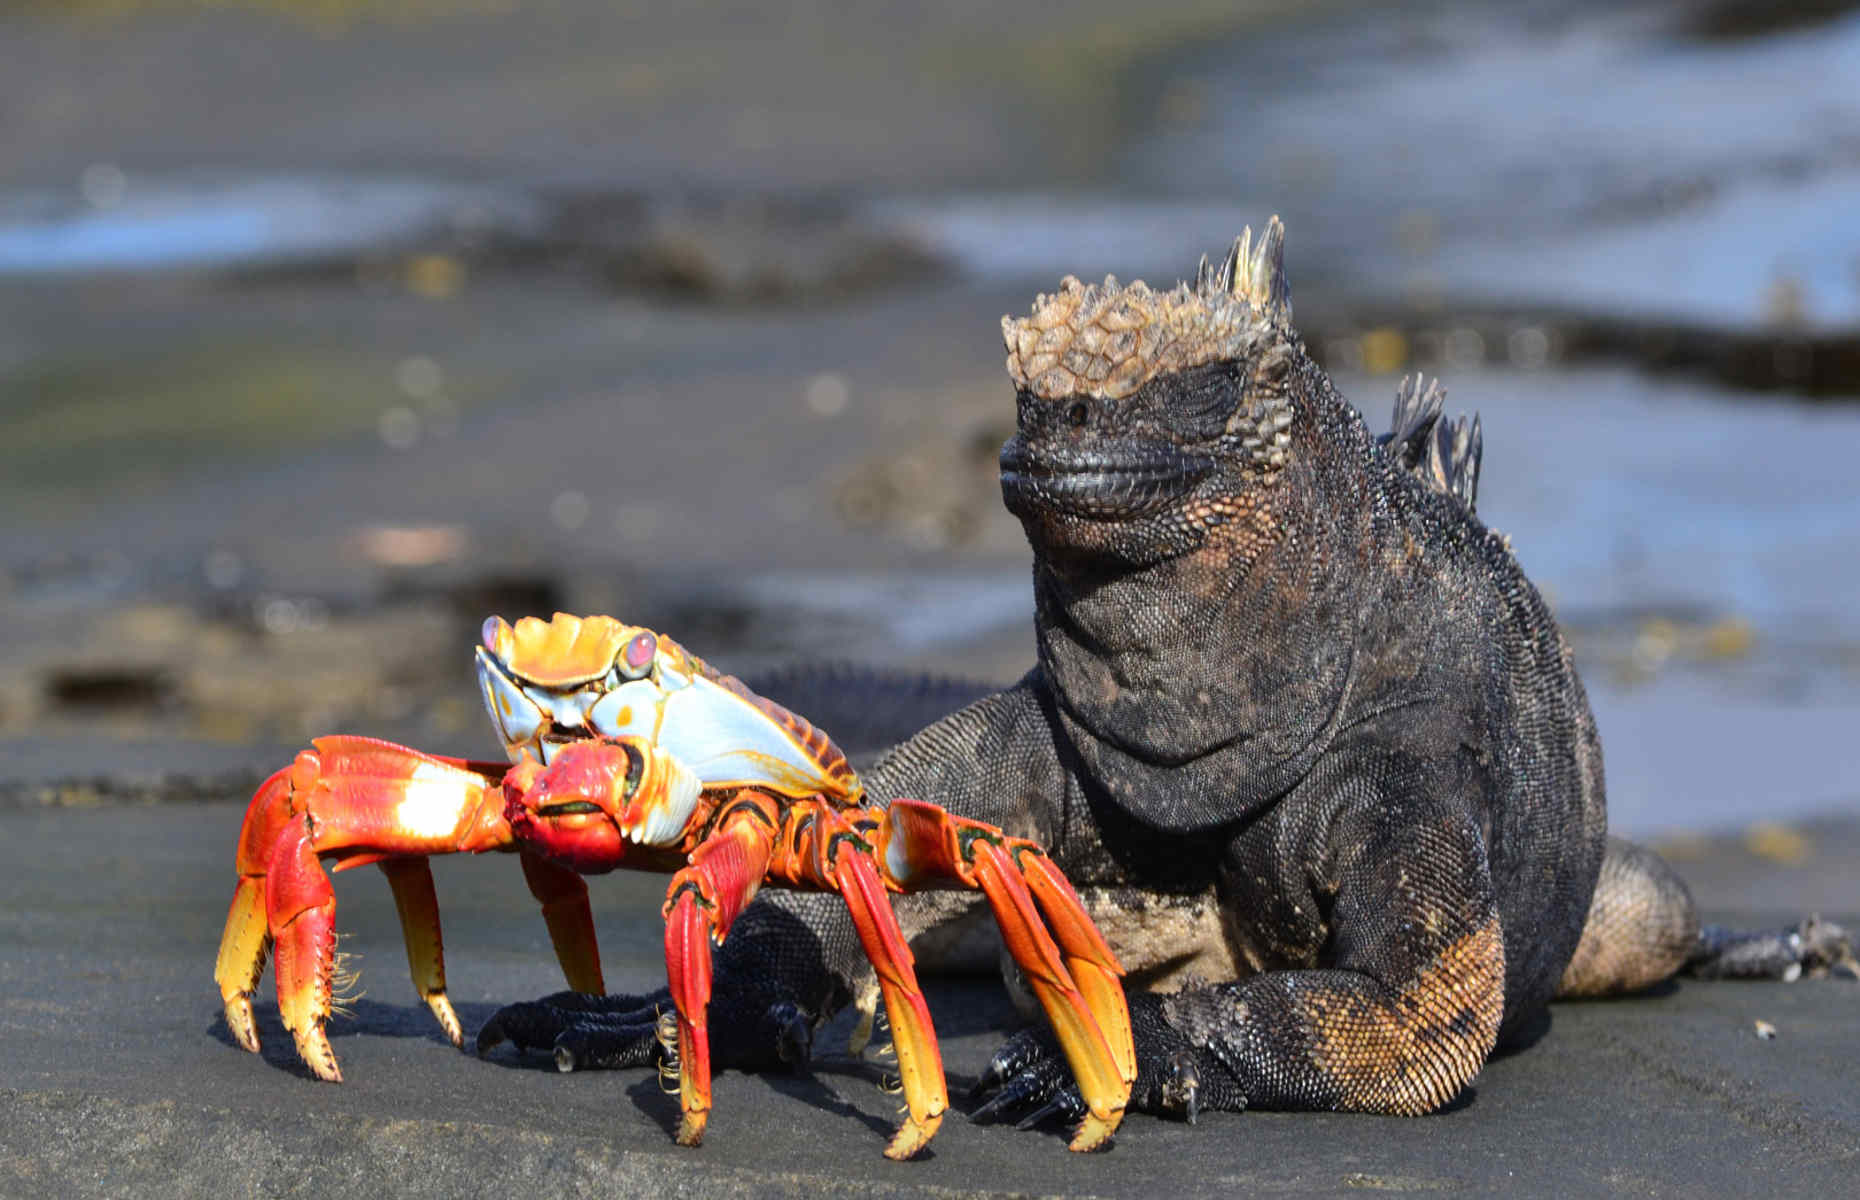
630, 753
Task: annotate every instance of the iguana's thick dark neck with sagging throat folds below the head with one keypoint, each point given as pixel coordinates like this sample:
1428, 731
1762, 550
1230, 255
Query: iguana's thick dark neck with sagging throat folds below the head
1206, 684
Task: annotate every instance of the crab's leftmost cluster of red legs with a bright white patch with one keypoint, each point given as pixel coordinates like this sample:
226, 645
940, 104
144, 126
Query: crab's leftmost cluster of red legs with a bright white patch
358, 801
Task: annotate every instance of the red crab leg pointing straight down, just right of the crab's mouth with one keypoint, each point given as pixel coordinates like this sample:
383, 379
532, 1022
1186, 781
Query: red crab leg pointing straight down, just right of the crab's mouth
702, 903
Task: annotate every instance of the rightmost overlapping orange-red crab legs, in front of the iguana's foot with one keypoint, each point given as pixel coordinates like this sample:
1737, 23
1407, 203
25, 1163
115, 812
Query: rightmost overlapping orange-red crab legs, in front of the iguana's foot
1074, 978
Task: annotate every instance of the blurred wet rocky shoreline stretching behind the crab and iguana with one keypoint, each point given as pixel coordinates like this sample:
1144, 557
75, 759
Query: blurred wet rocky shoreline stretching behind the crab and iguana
330, 327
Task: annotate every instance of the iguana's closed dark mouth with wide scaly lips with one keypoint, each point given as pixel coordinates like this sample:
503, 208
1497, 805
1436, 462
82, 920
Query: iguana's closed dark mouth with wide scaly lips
1106, 483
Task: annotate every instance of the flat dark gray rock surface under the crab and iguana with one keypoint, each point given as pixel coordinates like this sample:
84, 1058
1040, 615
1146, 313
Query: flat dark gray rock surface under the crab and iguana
118, 1074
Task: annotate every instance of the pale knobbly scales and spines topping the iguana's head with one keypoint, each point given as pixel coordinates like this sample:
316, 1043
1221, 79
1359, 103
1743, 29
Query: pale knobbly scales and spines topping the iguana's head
1109, 340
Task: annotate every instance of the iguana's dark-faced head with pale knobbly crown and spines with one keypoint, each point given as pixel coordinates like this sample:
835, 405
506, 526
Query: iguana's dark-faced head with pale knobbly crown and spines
1150, 418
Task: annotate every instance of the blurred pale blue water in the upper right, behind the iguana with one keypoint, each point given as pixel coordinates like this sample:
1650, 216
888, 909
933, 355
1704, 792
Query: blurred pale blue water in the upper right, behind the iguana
1589, 157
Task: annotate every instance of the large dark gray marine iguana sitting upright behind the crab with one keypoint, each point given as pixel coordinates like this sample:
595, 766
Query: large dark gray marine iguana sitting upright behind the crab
1305, 738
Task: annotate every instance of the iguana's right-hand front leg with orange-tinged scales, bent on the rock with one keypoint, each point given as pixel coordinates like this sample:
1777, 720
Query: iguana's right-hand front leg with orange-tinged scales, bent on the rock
1405, 987
